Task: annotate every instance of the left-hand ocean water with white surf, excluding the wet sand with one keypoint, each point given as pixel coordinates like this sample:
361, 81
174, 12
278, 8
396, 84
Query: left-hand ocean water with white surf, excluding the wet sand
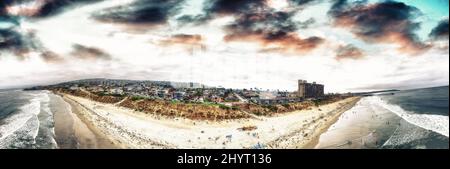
26, 120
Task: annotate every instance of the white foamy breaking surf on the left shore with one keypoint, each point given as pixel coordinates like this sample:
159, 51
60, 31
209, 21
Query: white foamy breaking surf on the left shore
22, 128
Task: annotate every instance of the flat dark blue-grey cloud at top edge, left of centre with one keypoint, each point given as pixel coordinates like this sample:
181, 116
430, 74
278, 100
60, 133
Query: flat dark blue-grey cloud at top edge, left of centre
141, 12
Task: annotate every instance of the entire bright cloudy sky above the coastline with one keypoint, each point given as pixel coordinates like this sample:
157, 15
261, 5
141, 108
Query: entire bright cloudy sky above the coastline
347, 45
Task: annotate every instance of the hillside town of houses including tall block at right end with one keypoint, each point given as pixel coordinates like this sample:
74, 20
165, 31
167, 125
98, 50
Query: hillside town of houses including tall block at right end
196, 92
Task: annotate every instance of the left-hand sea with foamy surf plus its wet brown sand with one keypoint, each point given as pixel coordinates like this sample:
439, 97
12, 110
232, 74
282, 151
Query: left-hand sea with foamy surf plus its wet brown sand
42, 120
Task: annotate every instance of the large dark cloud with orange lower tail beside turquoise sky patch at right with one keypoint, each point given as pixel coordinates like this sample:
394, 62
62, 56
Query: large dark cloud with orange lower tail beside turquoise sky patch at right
388, 21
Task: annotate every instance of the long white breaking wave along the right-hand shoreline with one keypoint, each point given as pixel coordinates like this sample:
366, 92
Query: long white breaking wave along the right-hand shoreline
436, 123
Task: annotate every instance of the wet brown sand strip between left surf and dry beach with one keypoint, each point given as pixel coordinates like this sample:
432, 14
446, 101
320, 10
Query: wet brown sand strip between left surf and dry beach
71, 131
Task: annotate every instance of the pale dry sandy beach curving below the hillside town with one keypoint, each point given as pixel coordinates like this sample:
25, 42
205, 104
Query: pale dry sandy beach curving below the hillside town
126, 128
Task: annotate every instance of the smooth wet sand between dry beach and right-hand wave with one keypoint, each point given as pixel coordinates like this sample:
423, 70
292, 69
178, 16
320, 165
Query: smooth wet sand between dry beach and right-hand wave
364, 126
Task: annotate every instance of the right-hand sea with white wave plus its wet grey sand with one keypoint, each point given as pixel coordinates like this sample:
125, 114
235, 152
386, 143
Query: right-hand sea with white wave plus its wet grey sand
408, 119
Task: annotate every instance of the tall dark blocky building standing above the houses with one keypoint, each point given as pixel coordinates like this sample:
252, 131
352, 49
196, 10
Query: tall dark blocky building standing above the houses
309, 90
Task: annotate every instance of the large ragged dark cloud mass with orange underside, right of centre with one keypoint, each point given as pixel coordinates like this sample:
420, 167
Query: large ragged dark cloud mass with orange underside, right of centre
257, 22
